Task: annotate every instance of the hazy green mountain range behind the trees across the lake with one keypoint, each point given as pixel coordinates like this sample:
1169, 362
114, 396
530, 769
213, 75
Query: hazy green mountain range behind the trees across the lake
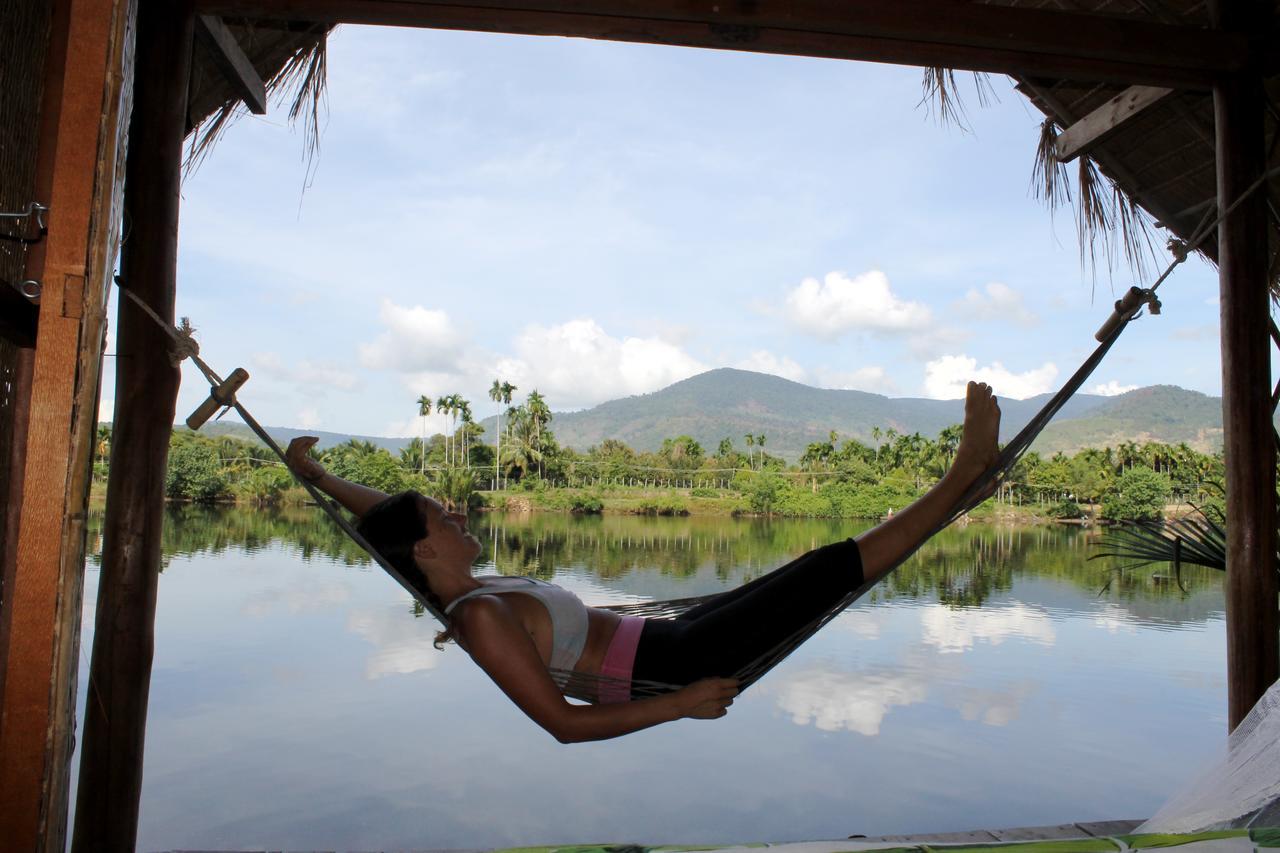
730, 404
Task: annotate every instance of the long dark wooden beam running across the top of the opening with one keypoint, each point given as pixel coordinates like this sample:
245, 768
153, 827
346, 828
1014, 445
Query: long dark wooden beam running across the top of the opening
917, 33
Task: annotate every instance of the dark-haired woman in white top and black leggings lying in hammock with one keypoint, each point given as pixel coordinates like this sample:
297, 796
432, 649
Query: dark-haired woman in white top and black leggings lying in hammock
520, 630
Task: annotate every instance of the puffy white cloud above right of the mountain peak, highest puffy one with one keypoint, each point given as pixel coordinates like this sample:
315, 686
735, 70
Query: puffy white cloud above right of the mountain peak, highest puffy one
840, 304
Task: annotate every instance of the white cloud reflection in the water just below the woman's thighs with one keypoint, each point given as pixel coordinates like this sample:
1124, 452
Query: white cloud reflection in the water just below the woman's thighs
852, 701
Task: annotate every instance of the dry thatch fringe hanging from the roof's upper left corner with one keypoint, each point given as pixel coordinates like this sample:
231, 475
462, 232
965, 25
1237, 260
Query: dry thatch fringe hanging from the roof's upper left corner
301, 81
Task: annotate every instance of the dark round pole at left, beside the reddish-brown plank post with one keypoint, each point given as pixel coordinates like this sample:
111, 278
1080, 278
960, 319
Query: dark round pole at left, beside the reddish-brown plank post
147, 389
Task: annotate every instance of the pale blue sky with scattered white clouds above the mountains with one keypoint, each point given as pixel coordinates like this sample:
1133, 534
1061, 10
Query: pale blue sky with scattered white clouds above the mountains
598, 220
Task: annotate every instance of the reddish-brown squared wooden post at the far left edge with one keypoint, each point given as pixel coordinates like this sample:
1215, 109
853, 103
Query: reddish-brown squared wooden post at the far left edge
84, 117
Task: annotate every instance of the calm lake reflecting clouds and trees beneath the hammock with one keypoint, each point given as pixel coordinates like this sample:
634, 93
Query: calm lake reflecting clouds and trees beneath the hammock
998, 679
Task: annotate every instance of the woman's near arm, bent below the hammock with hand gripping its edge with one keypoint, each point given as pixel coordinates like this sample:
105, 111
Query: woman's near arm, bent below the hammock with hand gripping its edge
492, 635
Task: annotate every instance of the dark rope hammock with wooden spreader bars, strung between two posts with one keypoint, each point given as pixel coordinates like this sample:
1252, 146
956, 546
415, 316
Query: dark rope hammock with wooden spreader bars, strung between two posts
587, 687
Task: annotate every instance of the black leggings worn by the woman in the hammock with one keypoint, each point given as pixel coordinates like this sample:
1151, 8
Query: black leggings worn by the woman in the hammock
723, 636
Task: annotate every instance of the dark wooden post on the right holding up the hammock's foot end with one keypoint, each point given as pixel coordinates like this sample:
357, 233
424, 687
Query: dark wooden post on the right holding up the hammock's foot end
1252, 624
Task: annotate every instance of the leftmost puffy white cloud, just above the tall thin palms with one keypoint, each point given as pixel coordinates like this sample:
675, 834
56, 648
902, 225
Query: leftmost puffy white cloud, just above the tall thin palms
417, 340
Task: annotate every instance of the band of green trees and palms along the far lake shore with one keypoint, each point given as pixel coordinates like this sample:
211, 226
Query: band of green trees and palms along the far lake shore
836, 477
